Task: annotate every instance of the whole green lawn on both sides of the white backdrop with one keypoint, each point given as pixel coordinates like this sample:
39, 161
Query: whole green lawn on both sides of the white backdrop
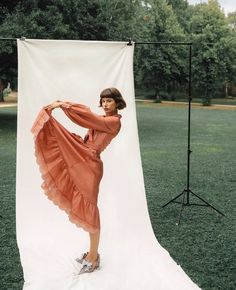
204, 243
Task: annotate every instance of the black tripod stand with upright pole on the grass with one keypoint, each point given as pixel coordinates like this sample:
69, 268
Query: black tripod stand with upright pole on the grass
186, 192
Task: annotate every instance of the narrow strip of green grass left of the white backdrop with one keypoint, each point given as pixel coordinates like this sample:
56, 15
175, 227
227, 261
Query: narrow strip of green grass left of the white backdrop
11, 276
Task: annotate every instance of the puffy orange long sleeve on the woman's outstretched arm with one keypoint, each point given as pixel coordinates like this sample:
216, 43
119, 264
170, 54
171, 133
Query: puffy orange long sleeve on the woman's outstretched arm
82, 115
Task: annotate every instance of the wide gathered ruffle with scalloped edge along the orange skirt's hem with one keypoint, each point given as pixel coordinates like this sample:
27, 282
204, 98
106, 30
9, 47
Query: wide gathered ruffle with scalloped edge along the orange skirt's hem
57, 183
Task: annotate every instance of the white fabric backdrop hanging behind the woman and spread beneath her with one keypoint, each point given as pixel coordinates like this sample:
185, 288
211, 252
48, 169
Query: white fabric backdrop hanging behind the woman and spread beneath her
131, 257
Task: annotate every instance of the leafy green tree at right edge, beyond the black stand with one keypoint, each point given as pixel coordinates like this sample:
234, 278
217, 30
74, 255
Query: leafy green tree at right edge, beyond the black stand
211, 38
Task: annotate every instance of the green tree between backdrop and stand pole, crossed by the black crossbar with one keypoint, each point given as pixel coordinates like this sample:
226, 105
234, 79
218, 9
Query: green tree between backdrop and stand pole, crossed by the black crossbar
162, 68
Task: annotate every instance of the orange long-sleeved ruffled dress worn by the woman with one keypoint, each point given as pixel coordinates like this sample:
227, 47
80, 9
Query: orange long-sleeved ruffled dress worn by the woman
71, 167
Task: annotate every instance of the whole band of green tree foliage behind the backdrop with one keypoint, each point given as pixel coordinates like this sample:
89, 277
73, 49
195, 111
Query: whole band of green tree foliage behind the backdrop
157, 67
